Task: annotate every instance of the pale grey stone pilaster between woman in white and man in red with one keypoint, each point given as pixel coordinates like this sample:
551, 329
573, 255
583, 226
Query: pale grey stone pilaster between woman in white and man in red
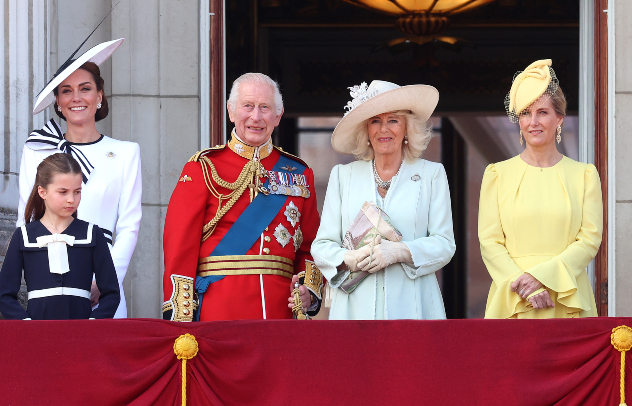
155, 102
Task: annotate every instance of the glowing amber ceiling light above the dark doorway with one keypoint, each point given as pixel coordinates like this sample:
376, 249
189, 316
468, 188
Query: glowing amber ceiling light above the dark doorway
422, 18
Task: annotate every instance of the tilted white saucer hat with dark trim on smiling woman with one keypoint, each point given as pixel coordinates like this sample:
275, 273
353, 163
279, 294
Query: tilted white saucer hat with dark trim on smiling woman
97, 54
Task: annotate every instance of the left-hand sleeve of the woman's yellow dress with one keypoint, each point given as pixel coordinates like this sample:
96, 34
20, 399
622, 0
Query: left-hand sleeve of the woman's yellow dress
502, 302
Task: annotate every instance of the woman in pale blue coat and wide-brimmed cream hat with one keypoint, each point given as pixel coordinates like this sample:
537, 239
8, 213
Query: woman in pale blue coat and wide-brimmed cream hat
386, 129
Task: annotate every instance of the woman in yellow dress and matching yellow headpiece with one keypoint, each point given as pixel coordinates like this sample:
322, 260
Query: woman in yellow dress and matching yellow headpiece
540, 214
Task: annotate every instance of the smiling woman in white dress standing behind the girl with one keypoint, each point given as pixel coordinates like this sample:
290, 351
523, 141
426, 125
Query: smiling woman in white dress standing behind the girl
111, 194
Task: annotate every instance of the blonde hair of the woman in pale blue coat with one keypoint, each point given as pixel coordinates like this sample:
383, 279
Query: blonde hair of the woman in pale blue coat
419, 135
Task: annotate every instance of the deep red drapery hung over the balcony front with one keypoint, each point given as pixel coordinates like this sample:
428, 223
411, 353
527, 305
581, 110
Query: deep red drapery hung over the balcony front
448, 362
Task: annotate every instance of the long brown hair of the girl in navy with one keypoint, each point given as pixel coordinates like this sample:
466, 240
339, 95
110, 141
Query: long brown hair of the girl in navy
49, 167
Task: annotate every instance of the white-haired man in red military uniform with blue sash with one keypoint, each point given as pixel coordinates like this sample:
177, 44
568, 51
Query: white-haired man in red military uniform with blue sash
241, 221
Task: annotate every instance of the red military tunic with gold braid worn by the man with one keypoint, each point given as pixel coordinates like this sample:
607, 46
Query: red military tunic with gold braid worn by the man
192, 206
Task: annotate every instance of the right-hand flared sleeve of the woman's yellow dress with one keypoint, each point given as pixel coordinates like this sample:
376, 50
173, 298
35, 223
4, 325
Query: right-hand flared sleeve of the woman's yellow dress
561, 273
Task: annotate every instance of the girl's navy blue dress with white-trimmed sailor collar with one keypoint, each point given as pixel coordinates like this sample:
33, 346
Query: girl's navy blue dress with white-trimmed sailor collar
89, 255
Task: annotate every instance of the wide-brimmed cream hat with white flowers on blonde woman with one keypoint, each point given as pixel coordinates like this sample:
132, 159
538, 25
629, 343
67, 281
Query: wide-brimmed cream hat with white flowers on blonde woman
378, 98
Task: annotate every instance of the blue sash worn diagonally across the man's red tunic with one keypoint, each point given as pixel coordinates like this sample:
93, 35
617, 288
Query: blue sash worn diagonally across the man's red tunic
247, 229
